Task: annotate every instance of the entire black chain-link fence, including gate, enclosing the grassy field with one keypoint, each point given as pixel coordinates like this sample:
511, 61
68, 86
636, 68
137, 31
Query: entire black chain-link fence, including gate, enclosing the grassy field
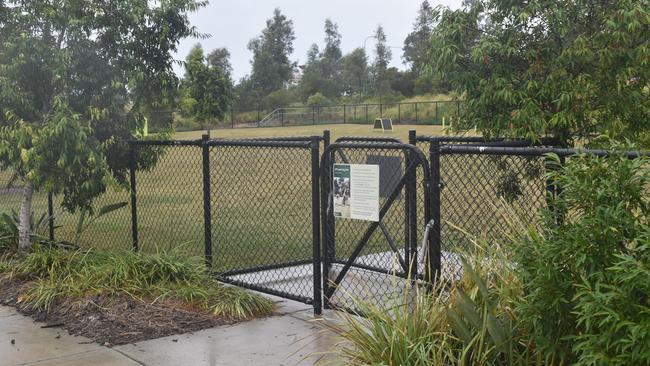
253, 209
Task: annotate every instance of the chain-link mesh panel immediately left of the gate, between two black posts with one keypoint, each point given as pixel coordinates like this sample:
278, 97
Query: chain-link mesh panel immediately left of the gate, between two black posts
262, 218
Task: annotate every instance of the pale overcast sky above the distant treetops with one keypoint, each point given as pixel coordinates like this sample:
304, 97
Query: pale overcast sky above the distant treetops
232, 23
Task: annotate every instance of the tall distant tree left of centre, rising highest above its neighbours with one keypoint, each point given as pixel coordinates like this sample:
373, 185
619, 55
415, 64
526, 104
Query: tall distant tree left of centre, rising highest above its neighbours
272, 68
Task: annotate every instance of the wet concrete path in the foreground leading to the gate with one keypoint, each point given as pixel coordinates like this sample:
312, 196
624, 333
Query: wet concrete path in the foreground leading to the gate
291, 338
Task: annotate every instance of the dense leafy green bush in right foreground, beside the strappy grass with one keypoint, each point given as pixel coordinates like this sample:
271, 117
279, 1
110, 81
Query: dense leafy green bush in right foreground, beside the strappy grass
586, 280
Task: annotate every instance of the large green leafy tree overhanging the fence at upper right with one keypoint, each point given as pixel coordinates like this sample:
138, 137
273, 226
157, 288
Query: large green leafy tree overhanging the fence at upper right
546, 68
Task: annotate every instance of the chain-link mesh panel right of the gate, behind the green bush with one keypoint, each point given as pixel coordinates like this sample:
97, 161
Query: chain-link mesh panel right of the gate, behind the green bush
483, 197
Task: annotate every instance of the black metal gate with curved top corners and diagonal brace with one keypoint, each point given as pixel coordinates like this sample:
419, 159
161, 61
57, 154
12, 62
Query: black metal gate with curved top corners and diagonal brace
373, 261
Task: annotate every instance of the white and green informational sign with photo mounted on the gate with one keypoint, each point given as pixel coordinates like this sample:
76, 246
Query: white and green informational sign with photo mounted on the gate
356, 191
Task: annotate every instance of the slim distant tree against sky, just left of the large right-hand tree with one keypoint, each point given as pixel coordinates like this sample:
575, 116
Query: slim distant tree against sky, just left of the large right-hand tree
415, 44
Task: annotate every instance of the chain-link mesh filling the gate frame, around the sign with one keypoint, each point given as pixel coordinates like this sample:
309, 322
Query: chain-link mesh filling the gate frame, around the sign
378, 267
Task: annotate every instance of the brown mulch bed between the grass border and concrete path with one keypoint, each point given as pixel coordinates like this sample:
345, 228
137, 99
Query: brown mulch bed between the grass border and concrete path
115, 321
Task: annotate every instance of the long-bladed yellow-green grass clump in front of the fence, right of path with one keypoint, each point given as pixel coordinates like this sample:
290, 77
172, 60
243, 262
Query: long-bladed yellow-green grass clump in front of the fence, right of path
473, 323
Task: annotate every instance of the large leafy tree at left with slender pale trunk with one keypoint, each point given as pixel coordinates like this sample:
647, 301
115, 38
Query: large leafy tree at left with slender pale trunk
74, 79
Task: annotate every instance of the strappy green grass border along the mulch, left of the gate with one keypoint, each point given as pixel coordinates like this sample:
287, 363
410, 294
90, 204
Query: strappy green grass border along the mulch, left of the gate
57, 274
